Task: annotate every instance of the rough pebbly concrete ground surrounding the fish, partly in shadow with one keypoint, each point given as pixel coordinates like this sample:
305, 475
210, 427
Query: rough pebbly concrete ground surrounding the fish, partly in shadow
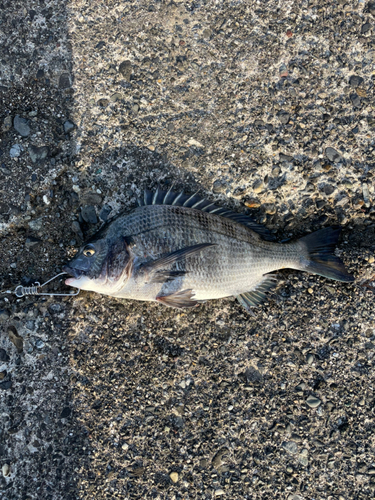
265, 107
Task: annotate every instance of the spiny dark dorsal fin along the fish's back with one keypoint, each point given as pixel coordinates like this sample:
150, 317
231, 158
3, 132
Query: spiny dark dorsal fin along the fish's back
182, 200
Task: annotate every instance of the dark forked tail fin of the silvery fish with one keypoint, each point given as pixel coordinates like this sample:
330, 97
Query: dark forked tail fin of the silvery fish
321, 260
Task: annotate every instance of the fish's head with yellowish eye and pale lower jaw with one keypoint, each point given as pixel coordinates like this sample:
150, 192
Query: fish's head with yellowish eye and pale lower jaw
102, 265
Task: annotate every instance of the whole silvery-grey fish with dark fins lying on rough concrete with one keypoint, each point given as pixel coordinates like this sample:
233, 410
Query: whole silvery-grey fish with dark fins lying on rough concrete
180, 250
